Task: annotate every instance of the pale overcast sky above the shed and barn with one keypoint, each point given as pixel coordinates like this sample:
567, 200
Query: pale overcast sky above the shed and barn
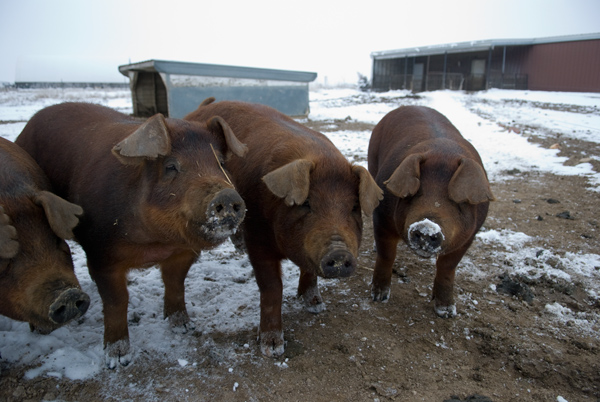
85, 40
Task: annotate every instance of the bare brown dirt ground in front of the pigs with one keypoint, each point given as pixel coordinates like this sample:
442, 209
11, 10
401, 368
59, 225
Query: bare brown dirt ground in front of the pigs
502, 346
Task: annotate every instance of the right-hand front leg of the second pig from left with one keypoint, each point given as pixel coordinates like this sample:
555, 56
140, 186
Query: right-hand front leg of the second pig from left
174, 271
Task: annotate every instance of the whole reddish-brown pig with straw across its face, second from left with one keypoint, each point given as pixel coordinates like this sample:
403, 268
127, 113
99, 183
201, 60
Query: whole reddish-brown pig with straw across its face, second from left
154, 193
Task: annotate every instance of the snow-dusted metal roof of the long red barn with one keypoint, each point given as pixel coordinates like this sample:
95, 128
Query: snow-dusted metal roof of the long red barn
476, 46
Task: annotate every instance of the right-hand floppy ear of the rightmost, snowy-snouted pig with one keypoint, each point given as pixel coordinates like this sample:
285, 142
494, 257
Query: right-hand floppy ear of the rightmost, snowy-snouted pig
469, 184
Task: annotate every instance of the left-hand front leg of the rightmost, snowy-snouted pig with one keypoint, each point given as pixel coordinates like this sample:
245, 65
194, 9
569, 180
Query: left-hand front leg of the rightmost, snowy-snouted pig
386, 244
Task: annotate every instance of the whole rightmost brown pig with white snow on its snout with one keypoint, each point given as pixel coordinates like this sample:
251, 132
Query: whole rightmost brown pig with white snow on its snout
436, 196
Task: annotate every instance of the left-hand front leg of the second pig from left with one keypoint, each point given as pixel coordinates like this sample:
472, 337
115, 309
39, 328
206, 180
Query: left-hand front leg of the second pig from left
112, 286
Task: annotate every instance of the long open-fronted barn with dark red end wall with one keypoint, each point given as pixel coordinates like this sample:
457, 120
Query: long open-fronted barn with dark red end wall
565, 63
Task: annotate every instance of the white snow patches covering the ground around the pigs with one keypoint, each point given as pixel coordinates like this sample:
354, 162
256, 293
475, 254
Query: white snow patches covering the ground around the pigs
221, 293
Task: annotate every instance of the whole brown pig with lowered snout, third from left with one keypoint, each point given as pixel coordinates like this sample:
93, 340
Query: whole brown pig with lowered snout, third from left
304, 202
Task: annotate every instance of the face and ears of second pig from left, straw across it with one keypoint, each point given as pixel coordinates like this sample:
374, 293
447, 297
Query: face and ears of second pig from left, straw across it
187, 194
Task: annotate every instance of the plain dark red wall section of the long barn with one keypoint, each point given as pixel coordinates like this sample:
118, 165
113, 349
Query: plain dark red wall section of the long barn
564, 66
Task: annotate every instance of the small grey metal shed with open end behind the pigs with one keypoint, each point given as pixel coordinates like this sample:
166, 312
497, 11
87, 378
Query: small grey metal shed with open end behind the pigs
176, 88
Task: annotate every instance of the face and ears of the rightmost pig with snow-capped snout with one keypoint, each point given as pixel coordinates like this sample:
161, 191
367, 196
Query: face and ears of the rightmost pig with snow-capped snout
438, 198
